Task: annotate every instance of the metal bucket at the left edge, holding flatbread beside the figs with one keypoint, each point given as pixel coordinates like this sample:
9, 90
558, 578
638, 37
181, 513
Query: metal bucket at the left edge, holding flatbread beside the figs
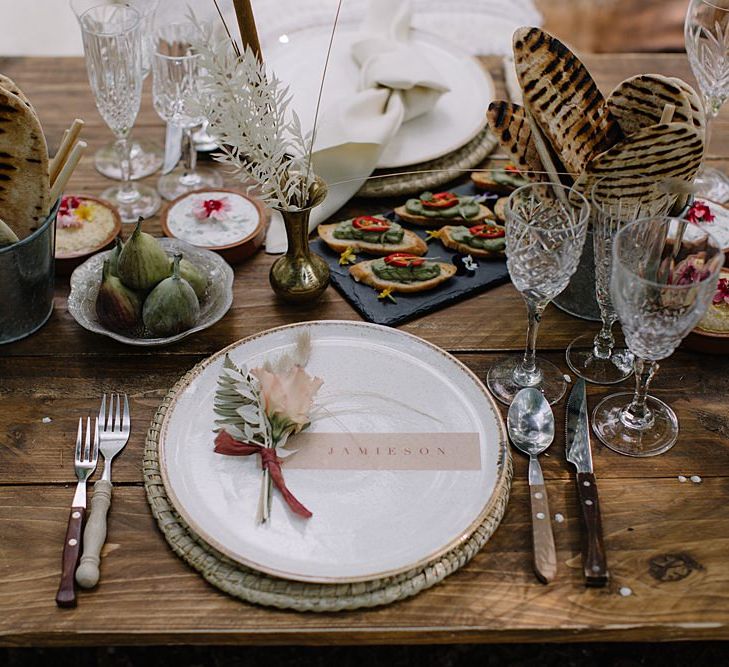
26, 279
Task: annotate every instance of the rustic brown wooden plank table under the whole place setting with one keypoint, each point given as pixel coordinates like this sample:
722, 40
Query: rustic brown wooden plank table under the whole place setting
668, 542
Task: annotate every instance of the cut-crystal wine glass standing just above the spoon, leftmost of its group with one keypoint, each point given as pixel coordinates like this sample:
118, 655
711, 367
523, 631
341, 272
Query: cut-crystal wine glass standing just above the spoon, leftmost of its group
545, 233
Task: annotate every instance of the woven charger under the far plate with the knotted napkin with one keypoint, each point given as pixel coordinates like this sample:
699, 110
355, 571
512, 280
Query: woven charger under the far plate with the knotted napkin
428, 175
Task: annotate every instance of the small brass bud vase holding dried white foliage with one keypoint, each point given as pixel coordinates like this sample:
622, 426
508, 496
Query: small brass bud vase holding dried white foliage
300, 276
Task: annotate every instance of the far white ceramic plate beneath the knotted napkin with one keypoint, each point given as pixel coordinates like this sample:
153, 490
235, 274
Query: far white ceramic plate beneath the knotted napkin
458, 117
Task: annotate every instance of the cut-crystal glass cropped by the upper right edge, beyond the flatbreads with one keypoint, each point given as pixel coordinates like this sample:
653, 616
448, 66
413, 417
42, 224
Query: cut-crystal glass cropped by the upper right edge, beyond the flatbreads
706, 32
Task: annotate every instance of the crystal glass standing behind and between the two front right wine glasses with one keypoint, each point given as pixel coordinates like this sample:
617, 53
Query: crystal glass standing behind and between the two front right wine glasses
599, 359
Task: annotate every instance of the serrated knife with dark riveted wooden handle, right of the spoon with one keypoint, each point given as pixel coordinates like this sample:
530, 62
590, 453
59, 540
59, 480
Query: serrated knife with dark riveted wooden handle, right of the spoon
577, 431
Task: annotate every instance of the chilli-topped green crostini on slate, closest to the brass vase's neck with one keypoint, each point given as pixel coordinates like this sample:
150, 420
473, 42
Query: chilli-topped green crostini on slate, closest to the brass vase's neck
372, 234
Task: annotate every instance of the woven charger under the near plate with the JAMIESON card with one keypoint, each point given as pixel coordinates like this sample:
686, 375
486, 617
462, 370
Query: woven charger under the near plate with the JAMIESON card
252, 586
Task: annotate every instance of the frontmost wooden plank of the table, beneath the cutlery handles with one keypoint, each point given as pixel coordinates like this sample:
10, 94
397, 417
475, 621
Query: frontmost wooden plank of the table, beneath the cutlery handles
668, 547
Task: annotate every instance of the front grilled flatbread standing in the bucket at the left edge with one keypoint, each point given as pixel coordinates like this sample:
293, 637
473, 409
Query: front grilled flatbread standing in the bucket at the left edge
24, 187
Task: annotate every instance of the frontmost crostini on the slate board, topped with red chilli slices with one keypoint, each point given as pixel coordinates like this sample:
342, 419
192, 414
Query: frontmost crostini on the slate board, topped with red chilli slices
402, 272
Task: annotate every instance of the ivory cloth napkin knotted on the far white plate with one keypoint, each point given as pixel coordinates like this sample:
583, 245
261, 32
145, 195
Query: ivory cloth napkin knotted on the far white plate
397, 84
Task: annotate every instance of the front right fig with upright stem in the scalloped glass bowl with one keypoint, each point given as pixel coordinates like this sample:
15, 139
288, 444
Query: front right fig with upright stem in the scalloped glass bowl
172, 306
